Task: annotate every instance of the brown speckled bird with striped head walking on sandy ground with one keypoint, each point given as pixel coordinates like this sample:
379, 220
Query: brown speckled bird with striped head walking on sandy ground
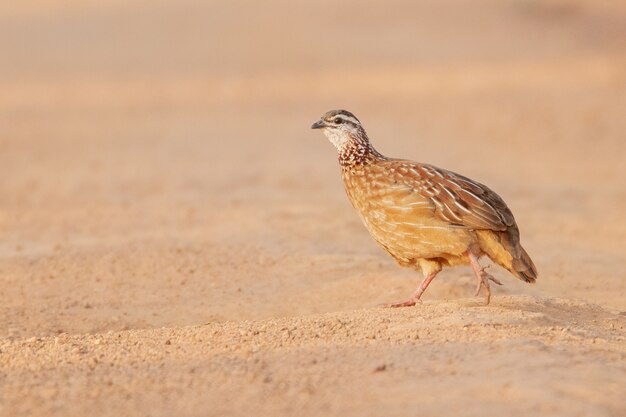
425, 217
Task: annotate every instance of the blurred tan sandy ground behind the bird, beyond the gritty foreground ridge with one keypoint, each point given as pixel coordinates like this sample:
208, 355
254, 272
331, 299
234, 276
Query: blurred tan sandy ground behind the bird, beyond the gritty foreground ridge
157, 166
